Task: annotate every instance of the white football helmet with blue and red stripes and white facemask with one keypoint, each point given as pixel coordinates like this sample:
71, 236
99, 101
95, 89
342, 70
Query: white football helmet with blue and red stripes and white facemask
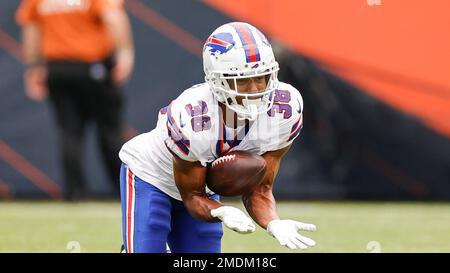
235, 51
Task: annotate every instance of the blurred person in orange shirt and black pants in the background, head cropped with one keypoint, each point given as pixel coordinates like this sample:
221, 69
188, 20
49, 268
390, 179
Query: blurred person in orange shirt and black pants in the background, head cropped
78, 53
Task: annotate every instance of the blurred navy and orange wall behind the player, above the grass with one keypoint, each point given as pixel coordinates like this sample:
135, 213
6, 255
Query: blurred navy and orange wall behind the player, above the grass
374, 76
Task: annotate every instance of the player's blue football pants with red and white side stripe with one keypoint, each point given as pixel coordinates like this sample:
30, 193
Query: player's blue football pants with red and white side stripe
158, 218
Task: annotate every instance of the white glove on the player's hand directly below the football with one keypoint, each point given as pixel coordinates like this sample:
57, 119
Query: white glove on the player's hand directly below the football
234, 219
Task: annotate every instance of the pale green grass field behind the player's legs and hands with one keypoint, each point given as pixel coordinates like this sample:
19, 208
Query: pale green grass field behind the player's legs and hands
342, 227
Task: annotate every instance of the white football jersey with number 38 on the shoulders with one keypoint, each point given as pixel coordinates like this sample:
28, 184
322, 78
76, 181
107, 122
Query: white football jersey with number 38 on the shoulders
192, 127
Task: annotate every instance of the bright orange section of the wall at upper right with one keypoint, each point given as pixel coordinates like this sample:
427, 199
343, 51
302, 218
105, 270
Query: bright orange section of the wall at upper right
398, 52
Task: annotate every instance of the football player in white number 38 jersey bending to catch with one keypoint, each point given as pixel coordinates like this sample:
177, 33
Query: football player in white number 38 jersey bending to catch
241, 106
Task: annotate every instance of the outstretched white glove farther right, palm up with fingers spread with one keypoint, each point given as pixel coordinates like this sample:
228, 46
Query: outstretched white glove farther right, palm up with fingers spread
286, 232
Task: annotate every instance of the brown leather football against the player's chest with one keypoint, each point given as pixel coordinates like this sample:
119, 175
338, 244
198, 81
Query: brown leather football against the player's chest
235, 173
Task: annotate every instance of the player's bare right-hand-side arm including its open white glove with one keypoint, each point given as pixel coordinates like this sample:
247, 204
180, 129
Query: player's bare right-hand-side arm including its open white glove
261, 206
